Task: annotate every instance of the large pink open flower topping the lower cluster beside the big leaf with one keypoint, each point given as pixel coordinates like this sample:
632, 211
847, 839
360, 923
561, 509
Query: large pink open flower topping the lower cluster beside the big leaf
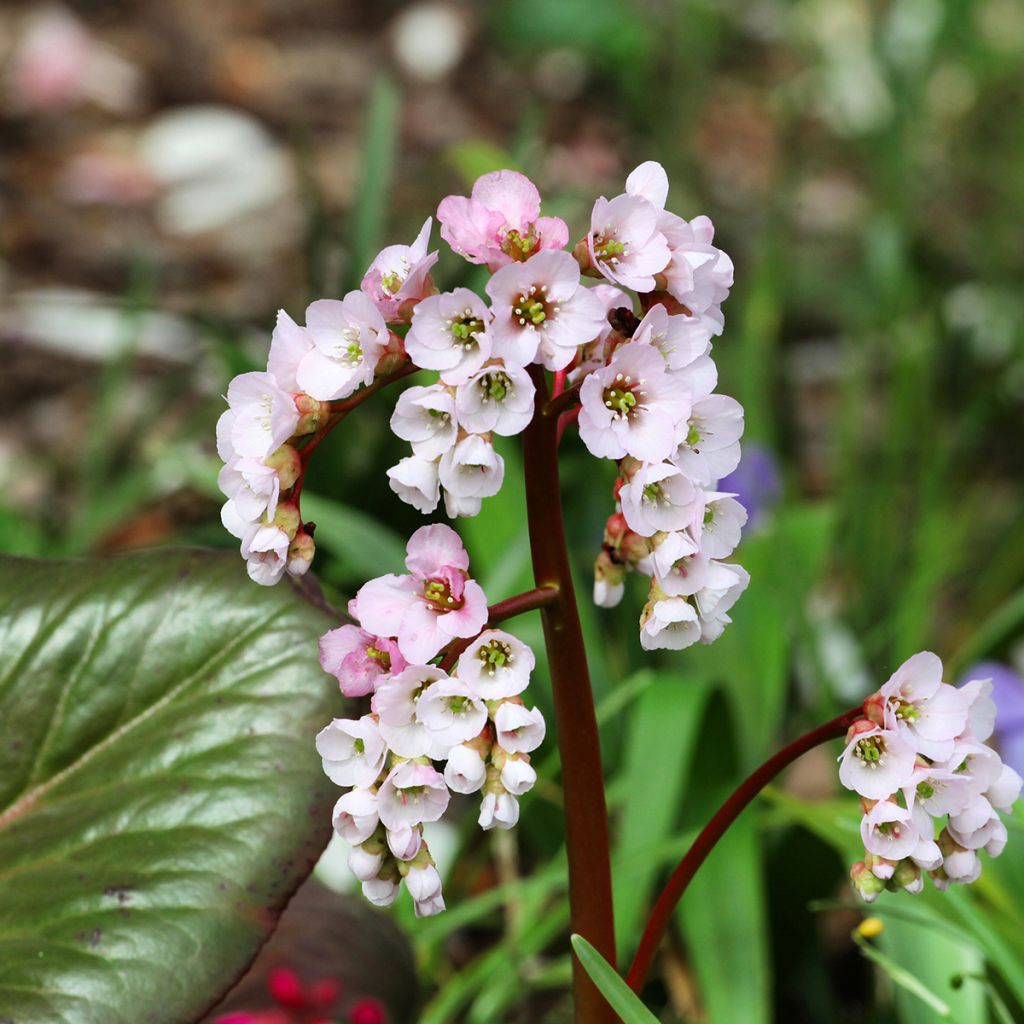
434, 605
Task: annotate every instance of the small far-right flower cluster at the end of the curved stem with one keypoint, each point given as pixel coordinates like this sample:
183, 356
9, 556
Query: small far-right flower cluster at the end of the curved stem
920, 762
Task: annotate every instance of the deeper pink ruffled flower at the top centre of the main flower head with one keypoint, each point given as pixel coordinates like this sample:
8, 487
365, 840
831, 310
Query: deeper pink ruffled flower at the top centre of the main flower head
500, 223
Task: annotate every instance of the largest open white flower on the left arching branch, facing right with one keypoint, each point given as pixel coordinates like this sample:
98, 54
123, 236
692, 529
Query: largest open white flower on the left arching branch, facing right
350, 337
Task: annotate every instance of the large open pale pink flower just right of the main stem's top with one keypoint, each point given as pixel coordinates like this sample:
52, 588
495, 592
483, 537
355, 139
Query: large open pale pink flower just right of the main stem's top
632, 407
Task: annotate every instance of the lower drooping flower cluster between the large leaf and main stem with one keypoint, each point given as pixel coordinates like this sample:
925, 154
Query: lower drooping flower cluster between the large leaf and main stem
474, 722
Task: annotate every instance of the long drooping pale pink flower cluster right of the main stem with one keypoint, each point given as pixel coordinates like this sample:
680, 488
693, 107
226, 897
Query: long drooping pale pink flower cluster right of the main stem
651, 405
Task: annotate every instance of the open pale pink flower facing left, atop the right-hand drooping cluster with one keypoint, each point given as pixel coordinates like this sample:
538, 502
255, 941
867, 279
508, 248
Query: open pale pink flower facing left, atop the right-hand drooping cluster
625, 243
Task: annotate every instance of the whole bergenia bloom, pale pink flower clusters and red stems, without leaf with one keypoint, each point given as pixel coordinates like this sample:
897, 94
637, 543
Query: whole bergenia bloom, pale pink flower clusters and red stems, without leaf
627, 362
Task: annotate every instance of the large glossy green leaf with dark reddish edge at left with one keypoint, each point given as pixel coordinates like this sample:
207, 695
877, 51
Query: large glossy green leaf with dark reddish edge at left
160, 798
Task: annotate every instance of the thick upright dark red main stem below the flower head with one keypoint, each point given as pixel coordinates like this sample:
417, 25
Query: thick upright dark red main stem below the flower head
583, 782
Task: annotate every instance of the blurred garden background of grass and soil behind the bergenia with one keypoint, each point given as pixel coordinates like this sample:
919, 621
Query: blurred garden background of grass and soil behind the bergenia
174, 174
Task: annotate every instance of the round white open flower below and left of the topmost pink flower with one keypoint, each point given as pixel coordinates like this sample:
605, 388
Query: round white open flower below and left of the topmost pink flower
450, 333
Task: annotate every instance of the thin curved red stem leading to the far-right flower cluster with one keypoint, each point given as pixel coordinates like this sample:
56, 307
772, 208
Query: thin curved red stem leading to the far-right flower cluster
715, 830
